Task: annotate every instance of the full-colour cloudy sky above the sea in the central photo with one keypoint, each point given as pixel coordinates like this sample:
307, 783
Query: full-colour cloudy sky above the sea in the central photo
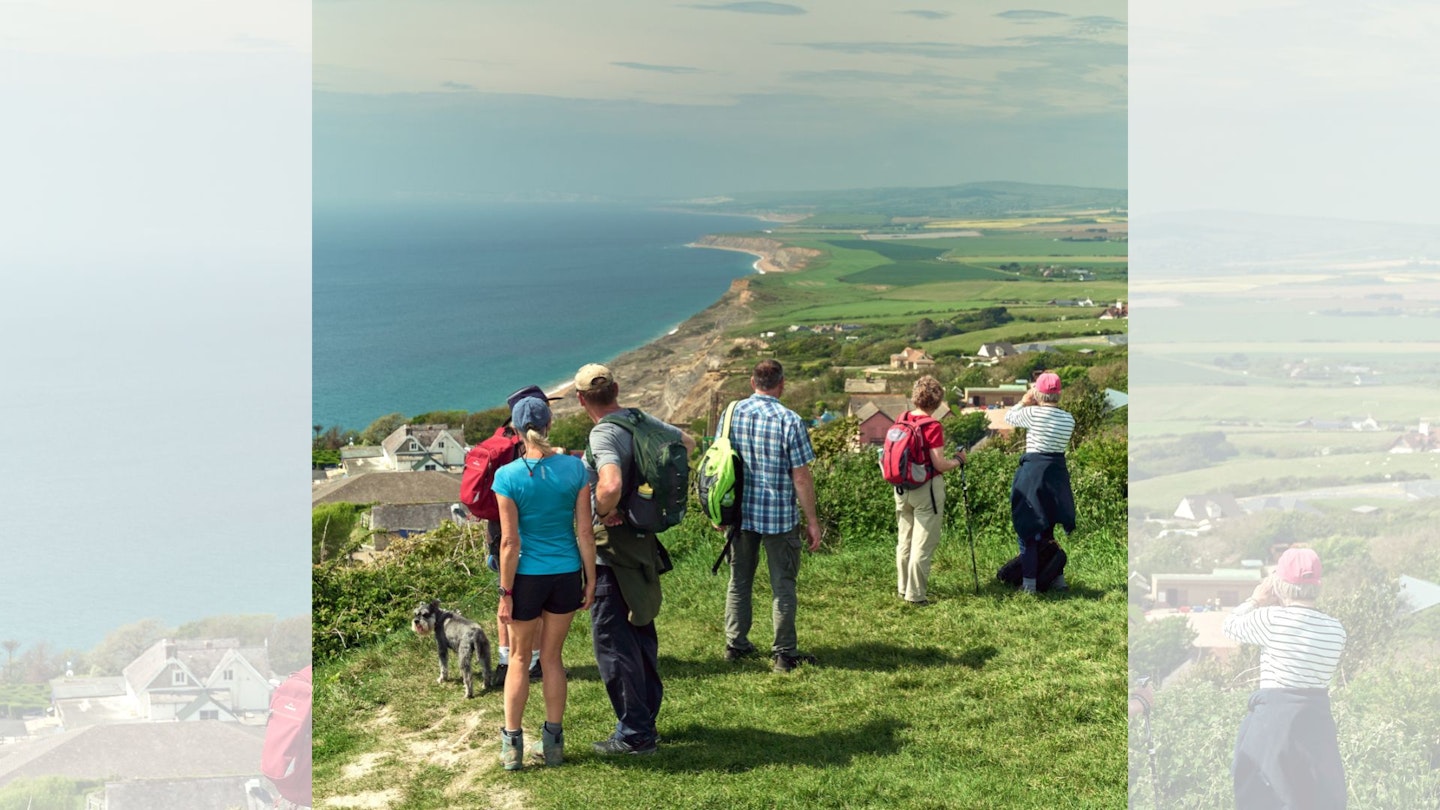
686, 100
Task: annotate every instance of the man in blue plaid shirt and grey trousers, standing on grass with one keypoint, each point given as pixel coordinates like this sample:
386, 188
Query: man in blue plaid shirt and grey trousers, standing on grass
777, 452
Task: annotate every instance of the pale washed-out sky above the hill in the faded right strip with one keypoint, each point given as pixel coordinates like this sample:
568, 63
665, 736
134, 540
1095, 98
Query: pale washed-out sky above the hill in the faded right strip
1287, 107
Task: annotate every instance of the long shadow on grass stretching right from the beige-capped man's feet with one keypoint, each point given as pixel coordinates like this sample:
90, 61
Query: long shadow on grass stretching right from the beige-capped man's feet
696, 749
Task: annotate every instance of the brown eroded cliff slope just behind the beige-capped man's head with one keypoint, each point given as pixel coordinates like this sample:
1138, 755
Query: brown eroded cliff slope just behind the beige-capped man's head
676, 377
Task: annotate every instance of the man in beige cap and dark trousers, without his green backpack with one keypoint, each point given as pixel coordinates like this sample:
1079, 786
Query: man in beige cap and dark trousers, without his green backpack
627, 582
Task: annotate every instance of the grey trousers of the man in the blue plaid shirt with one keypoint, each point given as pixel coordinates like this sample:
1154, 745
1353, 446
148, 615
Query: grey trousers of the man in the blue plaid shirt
783, 553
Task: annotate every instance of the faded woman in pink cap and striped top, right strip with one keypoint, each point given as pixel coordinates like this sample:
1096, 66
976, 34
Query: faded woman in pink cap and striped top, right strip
1287, 755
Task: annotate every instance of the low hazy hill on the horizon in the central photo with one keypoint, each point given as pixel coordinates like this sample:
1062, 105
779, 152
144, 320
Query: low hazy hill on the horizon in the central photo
970, 200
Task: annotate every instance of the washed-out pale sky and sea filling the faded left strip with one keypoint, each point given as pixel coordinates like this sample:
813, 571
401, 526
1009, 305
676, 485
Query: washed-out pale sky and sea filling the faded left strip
155, 362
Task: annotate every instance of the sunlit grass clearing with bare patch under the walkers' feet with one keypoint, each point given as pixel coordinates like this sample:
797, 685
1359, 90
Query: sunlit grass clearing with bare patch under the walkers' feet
978, 701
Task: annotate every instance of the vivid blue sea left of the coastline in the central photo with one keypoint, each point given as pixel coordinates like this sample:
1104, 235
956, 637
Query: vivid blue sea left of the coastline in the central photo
426, 308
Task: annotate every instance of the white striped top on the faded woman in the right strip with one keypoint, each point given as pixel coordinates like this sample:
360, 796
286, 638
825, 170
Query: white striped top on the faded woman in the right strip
1300, 646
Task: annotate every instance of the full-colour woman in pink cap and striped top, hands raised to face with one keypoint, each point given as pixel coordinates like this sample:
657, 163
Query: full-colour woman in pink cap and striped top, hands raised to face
1040, 497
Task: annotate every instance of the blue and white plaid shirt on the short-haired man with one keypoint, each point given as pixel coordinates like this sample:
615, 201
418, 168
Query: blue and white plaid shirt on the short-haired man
771, 440
